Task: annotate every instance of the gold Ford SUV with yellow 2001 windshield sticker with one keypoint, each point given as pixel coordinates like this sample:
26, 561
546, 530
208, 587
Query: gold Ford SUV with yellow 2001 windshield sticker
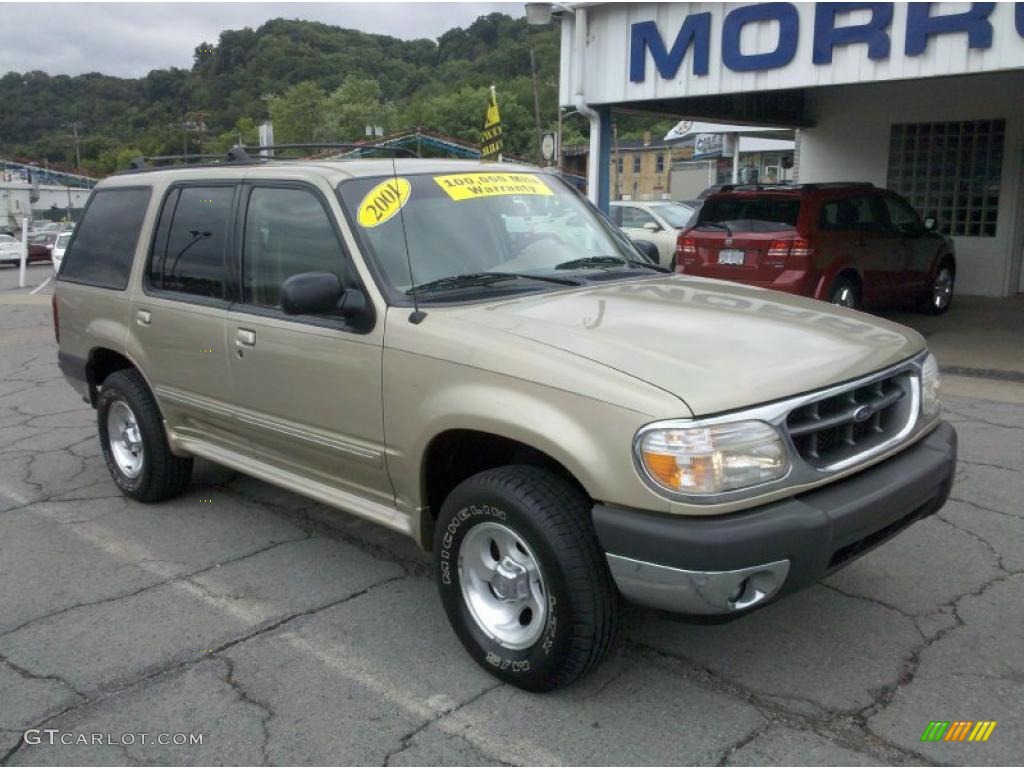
473, 356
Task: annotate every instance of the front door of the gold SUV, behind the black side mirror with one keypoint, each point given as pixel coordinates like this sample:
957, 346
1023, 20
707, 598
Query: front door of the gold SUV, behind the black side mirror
308, 389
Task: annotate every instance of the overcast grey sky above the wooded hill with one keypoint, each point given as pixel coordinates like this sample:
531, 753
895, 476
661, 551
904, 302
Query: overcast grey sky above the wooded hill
132, 39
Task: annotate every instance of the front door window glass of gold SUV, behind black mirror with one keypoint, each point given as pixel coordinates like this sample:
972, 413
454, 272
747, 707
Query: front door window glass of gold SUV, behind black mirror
288, 232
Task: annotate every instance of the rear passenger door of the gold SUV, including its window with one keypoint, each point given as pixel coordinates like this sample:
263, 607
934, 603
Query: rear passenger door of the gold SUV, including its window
179, 321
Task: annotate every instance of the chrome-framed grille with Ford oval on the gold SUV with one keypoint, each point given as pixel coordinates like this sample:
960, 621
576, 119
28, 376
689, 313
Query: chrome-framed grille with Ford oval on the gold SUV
843, 426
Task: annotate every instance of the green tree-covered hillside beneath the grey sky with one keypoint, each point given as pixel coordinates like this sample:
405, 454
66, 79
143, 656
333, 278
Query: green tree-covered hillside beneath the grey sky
316, 81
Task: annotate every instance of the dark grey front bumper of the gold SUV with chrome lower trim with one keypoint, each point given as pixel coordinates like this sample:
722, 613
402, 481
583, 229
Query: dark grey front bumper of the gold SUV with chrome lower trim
727, 565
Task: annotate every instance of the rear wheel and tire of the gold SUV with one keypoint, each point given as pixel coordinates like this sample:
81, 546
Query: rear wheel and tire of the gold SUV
136, 449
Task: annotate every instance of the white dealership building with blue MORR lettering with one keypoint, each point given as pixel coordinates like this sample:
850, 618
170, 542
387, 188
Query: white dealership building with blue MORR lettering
924, 99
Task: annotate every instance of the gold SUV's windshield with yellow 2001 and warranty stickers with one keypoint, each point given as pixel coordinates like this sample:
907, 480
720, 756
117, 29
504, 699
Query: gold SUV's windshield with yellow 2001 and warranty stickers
478, 232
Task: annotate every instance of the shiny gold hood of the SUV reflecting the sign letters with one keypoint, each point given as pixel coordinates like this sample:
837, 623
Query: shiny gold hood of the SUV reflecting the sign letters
716, 346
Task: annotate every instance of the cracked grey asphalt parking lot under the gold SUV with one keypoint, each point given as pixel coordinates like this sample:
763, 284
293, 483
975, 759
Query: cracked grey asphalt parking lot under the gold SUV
286, 632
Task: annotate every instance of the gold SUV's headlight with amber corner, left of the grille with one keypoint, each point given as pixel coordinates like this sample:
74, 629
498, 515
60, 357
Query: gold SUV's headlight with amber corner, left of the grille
713, 459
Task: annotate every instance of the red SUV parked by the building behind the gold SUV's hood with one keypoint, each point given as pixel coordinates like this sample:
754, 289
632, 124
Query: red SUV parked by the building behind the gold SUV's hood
851, 244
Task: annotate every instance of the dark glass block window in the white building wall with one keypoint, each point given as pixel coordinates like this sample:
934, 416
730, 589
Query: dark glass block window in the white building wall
951, 172
